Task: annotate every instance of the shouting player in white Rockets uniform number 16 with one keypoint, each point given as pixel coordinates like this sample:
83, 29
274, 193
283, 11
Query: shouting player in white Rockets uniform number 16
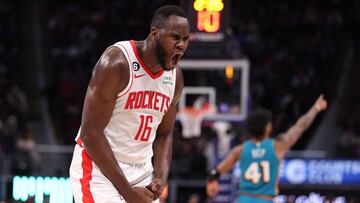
129, 113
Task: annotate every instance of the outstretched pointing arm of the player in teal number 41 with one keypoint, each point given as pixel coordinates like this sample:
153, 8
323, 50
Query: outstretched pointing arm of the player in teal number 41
291, 136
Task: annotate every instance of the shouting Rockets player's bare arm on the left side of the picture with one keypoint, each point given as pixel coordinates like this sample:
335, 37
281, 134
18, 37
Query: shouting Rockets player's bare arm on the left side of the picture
109, 77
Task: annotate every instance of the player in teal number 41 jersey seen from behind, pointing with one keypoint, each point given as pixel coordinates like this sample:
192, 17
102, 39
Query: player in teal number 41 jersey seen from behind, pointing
260, 156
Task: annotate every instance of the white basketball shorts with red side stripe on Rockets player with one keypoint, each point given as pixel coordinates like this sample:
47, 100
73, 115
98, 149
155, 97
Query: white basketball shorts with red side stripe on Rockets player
90, 185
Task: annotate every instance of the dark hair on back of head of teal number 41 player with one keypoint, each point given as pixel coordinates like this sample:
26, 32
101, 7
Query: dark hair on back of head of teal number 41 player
256, 122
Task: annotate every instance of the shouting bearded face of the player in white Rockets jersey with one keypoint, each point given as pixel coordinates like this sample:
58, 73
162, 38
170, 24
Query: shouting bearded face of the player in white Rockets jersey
172, 42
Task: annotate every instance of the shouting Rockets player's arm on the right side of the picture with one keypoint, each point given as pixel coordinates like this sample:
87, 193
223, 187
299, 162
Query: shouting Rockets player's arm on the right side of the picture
164, 140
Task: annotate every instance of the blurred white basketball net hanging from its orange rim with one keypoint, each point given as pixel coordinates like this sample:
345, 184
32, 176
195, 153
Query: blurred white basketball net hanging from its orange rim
192, 117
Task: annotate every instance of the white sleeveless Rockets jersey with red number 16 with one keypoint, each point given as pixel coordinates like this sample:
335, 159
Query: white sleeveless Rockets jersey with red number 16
139, 109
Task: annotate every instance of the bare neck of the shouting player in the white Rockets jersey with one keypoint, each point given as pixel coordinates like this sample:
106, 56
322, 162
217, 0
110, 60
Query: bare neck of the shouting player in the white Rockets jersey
147, 54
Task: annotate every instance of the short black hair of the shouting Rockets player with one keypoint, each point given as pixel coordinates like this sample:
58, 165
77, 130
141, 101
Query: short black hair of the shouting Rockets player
162, 14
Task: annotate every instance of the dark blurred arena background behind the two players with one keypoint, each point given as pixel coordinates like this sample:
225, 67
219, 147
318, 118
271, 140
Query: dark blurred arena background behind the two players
277, 54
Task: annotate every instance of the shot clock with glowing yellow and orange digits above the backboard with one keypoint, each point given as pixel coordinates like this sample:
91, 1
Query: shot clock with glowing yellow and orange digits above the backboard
209, 20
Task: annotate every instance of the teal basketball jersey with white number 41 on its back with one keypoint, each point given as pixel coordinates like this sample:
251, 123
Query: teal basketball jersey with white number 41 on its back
259, 167
